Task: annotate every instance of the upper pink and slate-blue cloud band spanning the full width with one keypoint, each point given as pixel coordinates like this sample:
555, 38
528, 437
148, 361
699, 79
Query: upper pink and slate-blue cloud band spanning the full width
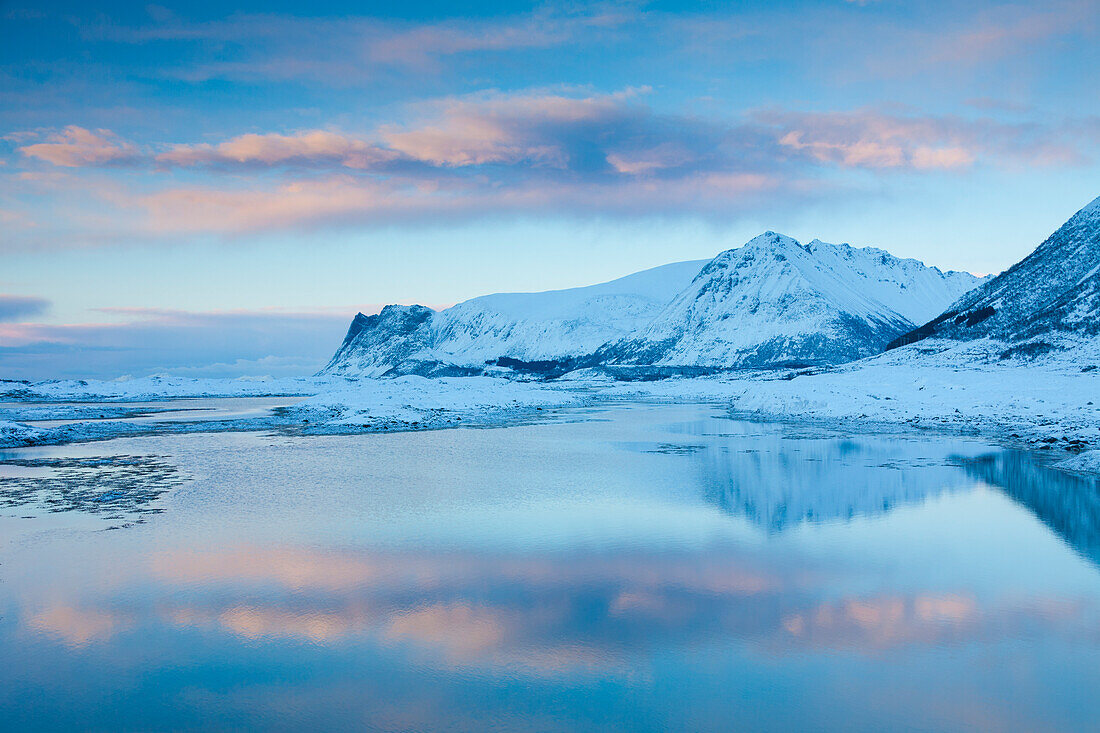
603, 135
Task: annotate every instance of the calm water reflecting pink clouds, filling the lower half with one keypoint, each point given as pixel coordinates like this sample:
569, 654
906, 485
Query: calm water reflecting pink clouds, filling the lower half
644, 568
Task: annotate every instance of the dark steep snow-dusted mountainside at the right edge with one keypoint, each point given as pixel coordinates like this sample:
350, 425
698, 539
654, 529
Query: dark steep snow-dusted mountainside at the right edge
1050, 301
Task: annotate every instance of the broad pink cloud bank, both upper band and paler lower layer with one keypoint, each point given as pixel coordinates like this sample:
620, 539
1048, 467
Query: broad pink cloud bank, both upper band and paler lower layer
535, 154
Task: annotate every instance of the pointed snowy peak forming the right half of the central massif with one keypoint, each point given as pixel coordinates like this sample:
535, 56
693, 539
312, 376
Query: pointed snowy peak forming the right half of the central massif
778, 302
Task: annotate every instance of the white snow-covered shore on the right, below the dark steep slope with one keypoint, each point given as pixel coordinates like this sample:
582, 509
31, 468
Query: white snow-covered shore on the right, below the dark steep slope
1042, 410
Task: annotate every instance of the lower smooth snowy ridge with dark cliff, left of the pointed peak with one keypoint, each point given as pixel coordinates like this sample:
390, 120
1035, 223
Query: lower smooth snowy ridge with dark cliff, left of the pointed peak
551, 326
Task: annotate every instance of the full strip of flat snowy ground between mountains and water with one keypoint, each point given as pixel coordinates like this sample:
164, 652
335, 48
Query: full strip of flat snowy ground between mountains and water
1052, 407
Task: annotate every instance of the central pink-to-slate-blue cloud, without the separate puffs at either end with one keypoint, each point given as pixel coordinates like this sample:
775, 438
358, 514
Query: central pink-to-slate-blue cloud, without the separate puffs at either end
529, 129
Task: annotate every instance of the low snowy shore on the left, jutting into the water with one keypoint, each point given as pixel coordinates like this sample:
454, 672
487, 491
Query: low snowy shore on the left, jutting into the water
328, 407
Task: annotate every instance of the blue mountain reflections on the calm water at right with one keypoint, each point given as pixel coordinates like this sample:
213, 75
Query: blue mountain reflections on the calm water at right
779, 482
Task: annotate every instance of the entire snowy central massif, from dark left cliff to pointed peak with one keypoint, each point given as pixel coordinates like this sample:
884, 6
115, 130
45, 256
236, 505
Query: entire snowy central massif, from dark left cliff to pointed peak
772, 302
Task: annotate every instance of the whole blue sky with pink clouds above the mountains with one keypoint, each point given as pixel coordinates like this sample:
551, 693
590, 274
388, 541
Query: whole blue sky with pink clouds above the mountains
210, 190
